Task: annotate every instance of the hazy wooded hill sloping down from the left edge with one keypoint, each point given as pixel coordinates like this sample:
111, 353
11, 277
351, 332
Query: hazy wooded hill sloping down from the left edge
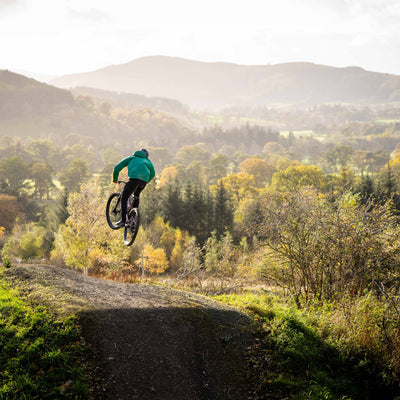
31, 109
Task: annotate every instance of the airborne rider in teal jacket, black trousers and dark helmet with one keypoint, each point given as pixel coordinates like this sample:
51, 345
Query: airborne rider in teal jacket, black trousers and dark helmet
140, 172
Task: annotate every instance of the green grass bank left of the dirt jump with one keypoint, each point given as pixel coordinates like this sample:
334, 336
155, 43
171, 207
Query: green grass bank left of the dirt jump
40, 355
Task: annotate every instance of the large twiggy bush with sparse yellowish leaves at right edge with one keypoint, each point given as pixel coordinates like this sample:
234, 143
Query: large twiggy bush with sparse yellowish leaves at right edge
323, 250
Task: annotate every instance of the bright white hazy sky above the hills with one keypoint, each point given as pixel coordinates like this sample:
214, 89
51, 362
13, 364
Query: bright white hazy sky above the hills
65, 36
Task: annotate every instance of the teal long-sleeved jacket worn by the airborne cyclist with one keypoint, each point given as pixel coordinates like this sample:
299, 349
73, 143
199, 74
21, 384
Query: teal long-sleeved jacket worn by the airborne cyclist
139, 167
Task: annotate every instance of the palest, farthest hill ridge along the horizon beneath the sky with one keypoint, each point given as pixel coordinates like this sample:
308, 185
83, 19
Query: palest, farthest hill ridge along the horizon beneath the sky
218, 85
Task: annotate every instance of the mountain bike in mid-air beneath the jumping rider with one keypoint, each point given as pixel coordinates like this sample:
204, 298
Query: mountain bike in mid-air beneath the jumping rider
113, 215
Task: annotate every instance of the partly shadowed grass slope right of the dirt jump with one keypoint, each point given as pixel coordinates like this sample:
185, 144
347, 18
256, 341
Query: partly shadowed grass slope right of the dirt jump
300, 359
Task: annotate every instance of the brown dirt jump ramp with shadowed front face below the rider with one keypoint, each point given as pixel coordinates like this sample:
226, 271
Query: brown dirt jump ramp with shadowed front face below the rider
149, 342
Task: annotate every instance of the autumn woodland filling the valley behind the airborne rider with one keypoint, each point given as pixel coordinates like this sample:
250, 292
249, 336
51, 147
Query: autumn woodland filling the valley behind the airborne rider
256, 207
